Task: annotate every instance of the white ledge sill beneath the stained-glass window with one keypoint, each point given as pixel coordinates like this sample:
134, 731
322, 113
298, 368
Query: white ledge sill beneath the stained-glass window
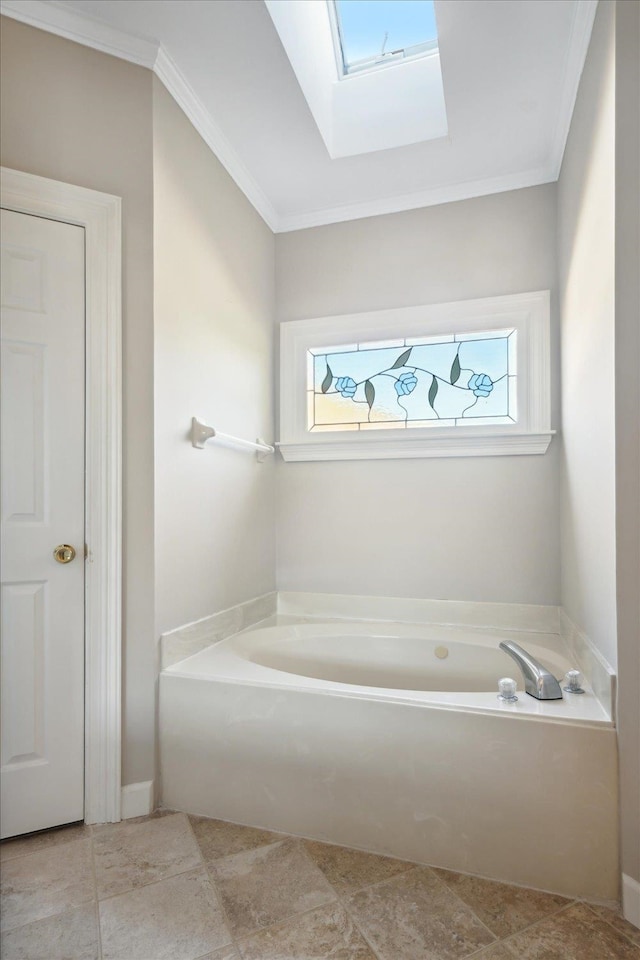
385, 448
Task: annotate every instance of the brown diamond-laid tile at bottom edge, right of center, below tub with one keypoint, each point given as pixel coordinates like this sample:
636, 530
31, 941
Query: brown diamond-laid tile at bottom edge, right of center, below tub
416, 917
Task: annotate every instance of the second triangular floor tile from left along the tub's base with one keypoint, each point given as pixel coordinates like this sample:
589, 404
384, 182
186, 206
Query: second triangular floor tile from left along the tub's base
350, 870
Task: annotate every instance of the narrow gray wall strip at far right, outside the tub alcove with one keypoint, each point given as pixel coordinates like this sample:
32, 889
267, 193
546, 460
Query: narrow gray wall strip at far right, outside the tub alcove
627, 293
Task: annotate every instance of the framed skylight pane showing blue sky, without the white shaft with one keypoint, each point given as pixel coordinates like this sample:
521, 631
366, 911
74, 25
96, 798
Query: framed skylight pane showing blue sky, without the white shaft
375, 33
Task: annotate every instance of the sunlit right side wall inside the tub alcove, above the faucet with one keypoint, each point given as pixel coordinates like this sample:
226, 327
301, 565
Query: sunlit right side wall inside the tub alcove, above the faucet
586, 238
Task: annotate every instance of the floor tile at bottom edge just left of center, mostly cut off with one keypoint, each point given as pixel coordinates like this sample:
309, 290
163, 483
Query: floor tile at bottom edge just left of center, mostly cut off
327, 932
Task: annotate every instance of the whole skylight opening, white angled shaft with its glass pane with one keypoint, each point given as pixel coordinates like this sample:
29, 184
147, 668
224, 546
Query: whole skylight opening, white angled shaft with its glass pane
394, 95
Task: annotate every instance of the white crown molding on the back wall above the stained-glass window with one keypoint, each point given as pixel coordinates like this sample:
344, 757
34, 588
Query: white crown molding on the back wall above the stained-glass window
413, 201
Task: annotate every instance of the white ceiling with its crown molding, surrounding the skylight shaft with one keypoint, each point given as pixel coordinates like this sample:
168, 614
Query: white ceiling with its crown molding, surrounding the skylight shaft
511, 69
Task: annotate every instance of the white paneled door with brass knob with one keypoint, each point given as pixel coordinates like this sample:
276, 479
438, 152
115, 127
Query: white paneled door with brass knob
42, 445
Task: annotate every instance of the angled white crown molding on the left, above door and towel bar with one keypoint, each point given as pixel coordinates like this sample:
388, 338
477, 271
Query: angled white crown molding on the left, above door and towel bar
97, 35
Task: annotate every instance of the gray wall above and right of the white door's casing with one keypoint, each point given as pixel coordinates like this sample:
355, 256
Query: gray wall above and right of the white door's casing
72, 114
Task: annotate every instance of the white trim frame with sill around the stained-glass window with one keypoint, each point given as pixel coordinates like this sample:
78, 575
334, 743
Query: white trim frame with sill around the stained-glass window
528, 313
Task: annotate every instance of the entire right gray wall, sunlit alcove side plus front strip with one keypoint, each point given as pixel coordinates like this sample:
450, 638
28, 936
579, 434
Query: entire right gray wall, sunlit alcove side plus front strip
599, 257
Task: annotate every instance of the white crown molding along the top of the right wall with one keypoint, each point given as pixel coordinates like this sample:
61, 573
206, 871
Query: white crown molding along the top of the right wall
583, 17
